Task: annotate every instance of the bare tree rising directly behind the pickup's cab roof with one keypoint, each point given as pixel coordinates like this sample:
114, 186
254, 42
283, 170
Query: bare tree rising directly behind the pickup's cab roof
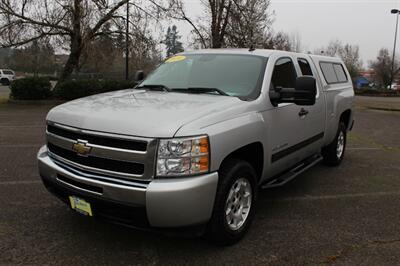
235, 23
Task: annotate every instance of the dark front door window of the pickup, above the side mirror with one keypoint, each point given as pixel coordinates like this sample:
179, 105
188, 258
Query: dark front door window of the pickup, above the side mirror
284, 74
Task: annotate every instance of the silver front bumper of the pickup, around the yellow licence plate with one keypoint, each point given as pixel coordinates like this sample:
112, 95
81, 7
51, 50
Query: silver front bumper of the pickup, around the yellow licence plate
161, 203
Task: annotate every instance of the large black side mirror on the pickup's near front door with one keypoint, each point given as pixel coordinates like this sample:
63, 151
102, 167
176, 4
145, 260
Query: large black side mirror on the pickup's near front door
303, 94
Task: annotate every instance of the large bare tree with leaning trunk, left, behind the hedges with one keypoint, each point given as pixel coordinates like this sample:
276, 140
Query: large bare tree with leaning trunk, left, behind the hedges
76, 22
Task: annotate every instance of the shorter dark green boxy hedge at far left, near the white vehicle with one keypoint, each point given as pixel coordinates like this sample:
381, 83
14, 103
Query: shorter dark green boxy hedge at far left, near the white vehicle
31, 88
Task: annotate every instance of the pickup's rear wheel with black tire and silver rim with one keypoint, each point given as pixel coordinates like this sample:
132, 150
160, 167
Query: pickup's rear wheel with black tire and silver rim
333, 153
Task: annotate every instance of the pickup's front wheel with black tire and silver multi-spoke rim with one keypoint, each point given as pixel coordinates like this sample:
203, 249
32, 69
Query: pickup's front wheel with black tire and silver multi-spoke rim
233, 174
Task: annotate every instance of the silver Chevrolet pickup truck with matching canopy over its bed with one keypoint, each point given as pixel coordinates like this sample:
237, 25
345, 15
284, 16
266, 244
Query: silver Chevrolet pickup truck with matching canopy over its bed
191, 145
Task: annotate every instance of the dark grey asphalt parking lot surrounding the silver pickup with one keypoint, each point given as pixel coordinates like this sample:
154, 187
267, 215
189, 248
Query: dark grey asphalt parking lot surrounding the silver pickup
347, 215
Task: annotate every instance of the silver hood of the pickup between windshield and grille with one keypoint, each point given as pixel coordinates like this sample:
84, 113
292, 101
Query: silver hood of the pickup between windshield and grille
139, 112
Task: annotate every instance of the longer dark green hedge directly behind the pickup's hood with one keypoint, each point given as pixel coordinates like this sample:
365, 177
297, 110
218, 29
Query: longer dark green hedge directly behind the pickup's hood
73, 89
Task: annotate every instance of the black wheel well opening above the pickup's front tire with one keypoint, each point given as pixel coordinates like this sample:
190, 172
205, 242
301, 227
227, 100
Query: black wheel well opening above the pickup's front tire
252, 153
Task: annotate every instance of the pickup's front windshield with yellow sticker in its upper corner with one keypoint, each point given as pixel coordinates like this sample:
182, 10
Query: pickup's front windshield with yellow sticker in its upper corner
234, 75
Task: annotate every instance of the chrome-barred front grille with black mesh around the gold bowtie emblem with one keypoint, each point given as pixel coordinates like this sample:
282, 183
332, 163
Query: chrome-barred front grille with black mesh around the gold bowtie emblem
116, 156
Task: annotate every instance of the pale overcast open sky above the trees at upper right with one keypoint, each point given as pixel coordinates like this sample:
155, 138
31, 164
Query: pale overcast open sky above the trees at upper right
366, 23
